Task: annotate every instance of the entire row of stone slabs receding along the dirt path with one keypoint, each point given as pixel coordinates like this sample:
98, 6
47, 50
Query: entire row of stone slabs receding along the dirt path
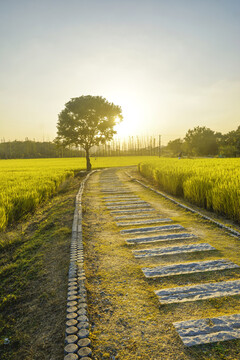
131, 210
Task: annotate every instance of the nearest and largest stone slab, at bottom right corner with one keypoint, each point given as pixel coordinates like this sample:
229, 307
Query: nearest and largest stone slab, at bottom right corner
204, 331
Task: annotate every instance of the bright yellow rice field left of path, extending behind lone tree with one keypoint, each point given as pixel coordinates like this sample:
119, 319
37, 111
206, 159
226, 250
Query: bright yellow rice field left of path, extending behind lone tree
25, 184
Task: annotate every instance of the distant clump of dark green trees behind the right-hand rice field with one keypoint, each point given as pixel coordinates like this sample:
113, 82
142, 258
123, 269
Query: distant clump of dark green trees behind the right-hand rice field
202, 141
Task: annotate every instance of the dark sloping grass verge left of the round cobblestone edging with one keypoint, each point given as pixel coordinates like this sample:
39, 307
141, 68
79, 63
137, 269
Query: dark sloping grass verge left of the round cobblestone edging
34, 260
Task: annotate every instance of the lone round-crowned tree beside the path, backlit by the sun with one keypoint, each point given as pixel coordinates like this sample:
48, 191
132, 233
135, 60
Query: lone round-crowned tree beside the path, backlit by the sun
87, 121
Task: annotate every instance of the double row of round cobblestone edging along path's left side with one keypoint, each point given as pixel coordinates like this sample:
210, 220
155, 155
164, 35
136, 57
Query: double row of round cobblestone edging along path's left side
77, 342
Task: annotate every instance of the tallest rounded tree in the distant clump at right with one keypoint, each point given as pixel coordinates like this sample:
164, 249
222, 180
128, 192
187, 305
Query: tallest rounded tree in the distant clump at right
202, 141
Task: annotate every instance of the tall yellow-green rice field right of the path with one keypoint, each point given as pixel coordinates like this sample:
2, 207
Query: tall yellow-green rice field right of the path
213, 184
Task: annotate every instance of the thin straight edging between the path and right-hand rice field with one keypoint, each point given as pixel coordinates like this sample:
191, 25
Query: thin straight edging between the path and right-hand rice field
232, 231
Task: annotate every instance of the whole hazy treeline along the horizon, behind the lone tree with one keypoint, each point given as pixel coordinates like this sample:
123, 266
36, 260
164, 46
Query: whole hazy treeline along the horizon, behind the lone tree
200, 141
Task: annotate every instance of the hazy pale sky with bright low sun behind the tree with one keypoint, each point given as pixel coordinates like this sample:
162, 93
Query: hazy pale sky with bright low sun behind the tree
170, 64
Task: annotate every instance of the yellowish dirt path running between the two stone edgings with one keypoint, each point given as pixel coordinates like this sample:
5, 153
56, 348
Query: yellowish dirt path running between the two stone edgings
128, 319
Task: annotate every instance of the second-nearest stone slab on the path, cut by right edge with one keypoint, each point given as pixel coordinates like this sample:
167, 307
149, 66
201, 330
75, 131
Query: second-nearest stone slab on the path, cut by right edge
198, 292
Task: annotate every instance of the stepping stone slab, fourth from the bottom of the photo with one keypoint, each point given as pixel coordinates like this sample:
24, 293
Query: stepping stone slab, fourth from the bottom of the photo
172, 250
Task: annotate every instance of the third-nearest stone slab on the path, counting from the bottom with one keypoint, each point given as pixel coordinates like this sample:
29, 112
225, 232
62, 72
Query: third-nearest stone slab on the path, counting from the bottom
189, 268
